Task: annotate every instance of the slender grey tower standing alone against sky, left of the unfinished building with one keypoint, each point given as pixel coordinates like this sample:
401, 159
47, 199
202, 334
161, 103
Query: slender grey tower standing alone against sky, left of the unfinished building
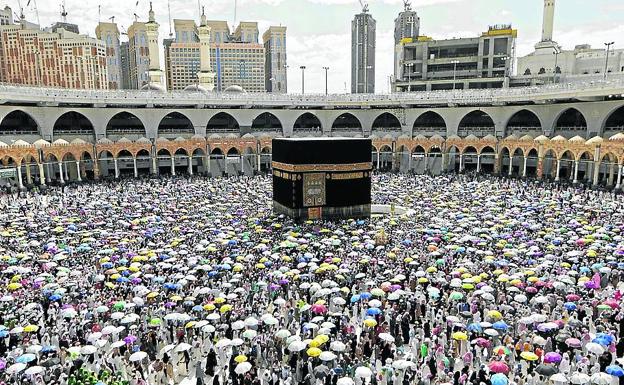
363, 29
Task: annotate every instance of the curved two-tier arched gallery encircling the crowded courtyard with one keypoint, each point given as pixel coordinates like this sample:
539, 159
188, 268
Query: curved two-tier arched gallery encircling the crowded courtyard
560, 131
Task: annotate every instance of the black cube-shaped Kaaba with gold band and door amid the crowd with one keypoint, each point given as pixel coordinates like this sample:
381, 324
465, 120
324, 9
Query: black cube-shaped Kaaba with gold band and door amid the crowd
322, 178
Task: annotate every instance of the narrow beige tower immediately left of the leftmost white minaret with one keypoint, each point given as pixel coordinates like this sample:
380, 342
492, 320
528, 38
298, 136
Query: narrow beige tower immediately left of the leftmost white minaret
138, 55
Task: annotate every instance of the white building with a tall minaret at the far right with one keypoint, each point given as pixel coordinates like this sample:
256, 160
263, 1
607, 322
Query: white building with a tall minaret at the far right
549, 62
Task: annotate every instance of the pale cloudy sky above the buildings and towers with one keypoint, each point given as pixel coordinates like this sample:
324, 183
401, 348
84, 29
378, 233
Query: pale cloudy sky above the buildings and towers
319, 31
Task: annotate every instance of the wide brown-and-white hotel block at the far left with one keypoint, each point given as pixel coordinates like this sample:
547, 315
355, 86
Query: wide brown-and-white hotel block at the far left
61, 59
